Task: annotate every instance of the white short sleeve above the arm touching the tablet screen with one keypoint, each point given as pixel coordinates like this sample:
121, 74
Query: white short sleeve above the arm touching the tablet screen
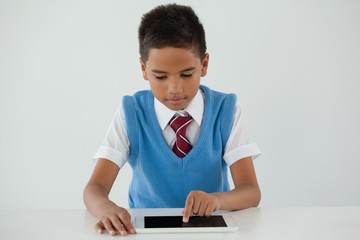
239, 144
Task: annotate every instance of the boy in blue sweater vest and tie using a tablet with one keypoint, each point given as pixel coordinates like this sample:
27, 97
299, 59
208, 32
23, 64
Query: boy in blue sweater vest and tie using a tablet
179, 137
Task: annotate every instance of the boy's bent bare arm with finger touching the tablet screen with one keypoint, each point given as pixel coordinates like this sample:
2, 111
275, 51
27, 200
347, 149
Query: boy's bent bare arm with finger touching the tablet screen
245, 194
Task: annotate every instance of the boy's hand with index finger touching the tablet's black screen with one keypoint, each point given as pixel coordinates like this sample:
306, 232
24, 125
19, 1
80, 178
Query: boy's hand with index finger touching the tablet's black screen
201, 204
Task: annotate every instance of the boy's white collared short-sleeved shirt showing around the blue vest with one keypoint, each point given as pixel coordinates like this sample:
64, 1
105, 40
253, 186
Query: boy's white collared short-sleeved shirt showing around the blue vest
115, 146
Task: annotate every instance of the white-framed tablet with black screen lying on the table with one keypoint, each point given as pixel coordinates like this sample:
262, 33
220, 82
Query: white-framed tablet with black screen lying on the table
174, 224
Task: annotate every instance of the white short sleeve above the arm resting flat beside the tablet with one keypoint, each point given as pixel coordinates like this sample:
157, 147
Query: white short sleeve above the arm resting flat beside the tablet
115, 146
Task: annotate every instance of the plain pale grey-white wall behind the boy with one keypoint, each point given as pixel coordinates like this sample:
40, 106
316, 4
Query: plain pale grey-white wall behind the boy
295, 66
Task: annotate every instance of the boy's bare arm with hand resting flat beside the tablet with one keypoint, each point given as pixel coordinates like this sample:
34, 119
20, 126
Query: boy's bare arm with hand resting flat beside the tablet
96, 198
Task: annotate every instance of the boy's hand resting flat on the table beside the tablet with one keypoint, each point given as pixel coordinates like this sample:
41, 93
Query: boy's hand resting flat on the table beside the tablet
114, 219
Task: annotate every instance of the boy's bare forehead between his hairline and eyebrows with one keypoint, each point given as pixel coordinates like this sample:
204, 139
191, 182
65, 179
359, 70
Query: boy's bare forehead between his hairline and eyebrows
172, 58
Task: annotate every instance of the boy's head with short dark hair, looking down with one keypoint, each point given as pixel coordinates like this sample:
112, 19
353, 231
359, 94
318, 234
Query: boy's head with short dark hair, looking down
173, 54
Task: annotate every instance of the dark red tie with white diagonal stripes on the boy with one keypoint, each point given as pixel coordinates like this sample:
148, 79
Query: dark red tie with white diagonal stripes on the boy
179, 124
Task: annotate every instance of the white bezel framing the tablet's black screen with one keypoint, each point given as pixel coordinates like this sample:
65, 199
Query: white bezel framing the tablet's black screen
138, 222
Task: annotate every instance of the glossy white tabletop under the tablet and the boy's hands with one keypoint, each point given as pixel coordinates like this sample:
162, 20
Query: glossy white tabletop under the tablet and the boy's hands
256, 223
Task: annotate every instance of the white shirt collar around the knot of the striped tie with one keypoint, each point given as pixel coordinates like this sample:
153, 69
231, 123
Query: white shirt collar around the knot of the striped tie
195, 109
